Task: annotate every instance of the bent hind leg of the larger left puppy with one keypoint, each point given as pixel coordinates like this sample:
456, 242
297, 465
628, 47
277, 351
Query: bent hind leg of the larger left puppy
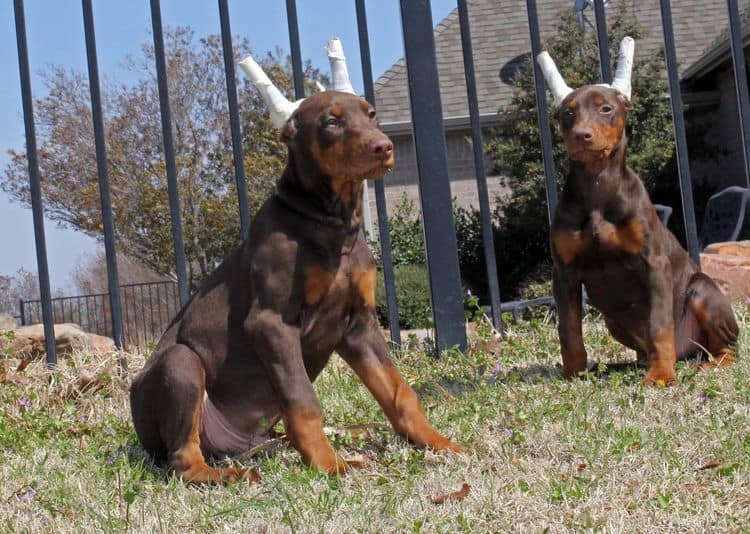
167, 405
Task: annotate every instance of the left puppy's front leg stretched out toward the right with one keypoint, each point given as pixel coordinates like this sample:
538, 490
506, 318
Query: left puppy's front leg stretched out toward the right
365, 351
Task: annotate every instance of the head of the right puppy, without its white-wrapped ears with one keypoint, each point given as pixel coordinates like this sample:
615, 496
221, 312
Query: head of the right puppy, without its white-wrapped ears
592, 120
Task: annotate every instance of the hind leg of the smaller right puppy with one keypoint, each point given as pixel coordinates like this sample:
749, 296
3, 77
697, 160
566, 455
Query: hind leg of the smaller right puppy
714, 314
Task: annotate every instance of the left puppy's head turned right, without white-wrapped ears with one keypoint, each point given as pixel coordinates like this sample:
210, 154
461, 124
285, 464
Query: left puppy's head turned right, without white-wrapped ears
339, 136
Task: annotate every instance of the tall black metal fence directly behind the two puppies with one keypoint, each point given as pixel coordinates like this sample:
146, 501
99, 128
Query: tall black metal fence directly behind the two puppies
440, 239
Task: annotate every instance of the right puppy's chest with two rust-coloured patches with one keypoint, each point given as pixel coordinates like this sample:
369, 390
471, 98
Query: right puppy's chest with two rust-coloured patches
595, 238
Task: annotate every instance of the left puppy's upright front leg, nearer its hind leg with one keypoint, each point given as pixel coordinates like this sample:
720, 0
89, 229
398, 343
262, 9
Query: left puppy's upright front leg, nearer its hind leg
278, 347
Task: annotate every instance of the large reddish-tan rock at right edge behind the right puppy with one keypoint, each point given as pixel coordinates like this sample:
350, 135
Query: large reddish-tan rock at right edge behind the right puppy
729, 264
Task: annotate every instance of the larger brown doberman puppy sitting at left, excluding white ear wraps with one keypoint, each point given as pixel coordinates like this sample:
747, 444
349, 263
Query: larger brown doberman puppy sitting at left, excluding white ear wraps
244, 351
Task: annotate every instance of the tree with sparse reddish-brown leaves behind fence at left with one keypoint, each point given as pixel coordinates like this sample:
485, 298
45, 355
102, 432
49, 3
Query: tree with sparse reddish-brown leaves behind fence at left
197, 92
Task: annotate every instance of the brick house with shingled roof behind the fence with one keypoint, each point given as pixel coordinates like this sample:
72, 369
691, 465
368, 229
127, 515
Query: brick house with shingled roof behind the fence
500, 40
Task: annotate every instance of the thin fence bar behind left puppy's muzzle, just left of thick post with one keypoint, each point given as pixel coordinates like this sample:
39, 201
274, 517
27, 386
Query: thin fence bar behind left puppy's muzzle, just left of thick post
386, 255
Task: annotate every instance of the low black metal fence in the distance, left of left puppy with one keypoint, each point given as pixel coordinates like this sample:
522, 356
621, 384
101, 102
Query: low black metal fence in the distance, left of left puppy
146, 311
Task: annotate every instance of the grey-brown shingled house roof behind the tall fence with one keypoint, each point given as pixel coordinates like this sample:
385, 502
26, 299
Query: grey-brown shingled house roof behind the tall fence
500, 40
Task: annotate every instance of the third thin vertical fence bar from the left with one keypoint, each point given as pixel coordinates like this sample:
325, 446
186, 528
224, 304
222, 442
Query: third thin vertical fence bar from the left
166, 132
